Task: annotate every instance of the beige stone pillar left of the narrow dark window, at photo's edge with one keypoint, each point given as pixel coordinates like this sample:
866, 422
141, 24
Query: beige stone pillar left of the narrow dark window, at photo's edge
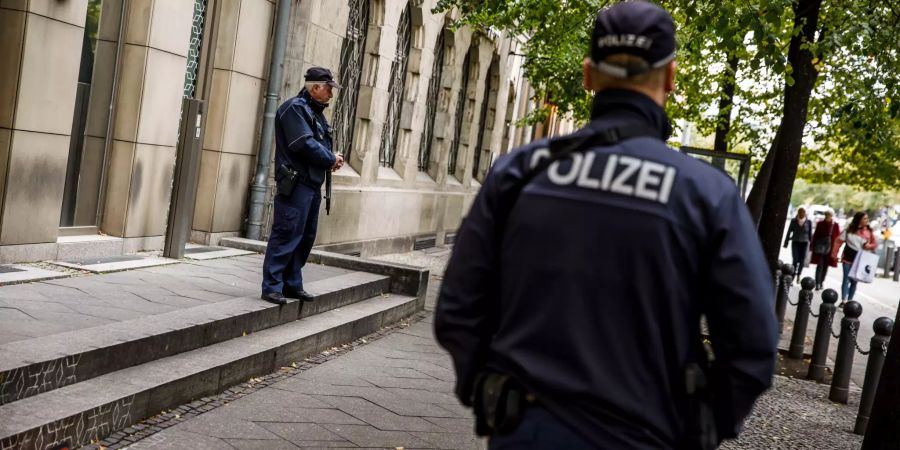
40, 53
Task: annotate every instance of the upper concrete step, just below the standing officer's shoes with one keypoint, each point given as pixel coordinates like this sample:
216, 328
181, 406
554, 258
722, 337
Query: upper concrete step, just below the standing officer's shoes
34, 366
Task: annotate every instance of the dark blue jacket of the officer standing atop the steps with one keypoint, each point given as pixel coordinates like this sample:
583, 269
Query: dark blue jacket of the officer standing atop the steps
303, 139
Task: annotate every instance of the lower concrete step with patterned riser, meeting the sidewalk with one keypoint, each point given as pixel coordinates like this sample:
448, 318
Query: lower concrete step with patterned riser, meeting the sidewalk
75, 415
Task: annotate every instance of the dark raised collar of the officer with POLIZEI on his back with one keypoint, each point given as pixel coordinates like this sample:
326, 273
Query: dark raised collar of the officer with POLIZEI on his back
614, 102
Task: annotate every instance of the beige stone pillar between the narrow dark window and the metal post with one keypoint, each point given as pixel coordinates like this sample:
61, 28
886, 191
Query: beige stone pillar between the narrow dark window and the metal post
148, 111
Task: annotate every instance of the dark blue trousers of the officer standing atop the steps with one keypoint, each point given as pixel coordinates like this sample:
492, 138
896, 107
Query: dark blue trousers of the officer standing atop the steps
293, 233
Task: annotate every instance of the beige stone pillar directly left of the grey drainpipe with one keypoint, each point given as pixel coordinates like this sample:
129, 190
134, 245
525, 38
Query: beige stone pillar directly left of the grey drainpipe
230, 143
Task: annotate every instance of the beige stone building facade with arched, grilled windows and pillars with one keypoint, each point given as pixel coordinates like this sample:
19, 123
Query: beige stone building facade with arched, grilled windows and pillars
91, 98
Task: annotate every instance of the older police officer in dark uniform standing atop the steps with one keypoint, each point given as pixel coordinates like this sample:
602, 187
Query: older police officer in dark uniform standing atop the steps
302, 156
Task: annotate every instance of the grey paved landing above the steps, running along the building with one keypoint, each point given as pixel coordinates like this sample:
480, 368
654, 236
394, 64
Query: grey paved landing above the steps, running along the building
83, 301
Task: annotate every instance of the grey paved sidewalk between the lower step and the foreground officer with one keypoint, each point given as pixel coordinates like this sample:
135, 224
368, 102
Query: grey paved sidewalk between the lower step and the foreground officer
394, 392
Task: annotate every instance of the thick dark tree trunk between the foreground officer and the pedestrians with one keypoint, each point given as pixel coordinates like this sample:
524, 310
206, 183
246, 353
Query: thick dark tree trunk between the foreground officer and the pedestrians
790, 132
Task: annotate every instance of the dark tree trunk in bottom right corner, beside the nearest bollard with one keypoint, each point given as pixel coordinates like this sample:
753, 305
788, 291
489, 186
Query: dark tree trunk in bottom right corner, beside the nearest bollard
883, 431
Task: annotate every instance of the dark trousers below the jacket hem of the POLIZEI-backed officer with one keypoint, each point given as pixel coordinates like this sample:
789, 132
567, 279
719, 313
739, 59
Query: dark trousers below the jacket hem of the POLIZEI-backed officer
540, 430
